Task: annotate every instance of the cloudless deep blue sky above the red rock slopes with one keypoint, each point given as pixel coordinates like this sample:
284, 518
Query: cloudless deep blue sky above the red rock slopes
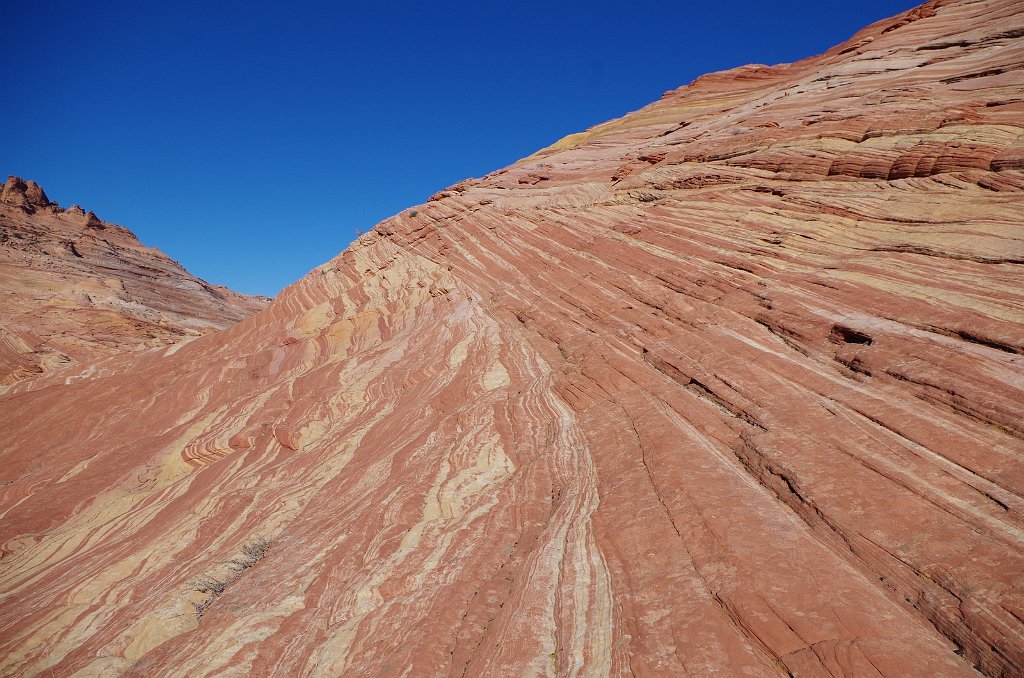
250, 141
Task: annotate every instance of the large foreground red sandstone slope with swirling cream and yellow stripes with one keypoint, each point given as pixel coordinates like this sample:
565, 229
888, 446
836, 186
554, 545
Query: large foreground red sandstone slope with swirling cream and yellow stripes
730, 387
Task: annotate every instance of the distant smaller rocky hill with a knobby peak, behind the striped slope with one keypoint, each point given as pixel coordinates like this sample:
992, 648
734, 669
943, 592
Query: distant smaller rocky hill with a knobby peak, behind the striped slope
74, 288
